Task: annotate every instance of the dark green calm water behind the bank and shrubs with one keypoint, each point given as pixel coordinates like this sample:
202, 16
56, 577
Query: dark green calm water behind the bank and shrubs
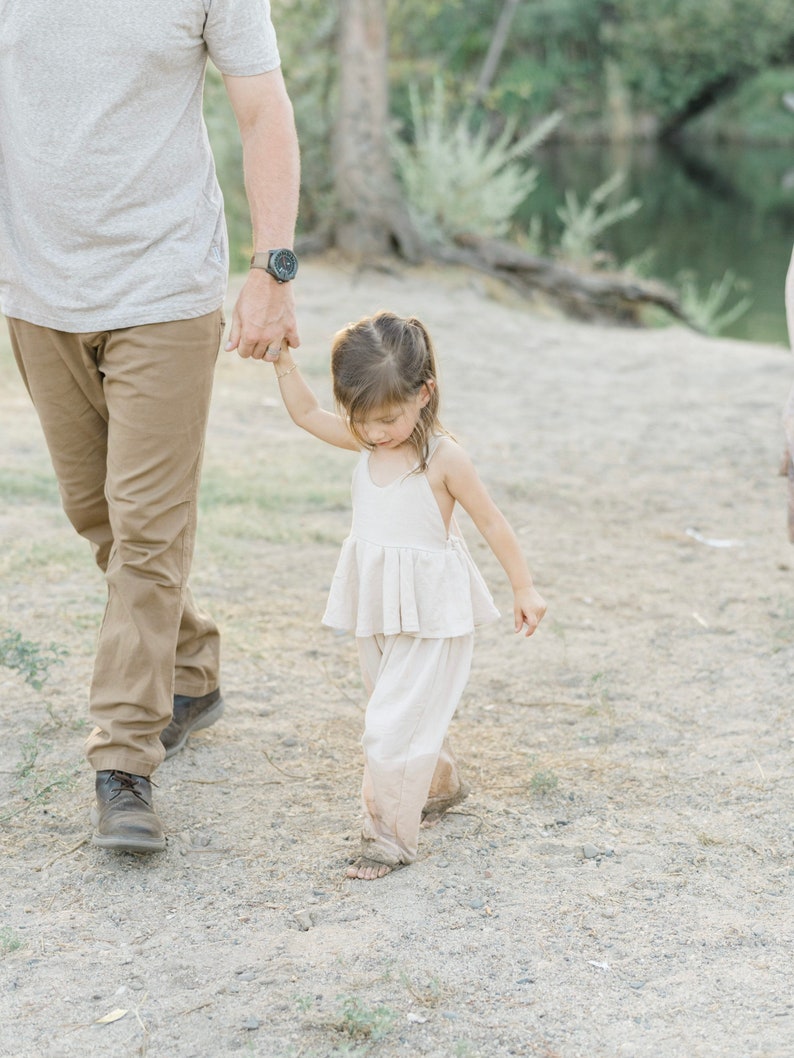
706, 210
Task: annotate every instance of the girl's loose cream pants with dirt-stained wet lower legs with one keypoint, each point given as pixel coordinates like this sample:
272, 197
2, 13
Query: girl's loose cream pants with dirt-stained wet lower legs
414, 687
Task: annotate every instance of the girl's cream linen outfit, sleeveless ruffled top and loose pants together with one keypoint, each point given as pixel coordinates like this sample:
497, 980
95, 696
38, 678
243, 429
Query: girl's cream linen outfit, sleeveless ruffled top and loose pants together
412, 595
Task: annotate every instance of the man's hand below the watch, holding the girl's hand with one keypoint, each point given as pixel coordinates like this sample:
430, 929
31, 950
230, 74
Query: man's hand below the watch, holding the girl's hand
264, 318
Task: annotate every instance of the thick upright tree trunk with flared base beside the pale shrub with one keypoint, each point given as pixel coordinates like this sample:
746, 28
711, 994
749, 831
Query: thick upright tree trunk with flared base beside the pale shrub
371, 216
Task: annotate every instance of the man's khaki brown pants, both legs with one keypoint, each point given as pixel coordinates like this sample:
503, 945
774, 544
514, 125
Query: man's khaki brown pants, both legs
124, 415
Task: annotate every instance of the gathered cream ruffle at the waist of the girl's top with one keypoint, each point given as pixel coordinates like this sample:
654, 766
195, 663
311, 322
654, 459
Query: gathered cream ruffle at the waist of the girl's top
388, 591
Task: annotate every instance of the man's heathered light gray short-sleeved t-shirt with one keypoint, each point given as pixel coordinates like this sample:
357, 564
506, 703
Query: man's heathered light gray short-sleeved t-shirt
111, 212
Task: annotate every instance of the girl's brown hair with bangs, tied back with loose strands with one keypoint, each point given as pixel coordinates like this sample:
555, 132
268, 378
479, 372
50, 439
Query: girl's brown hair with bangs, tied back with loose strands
383, 362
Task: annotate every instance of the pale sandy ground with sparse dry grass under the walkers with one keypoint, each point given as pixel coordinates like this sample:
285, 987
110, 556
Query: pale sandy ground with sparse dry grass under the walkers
621, 881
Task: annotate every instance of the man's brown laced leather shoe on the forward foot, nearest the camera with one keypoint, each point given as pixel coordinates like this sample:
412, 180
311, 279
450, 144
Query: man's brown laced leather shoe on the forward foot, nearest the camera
124, 817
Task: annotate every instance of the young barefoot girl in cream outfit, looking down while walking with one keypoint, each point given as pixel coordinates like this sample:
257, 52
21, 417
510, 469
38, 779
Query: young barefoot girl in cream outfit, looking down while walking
406, 583
